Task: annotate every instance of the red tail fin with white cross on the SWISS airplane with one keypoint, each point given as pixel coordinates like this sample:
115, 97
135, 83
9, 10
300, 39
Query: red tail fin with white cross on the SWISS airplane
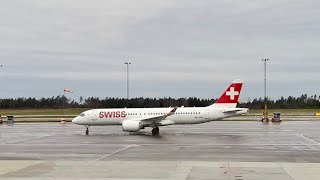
230, 97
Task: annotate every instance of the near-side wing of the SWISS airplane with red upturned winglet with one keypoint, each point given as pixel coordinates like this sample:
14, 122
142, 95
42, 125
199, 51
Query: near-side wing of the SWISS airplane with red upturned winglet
158, 120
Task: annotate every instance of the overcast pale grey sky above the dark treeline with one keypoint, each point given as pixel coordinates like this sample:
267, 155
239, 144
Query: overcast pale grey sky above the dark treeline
178, 48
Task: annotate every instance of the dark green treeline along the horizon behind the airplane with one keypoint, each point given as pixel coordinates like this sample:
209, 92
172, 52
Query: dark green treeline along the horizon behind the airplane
57, 102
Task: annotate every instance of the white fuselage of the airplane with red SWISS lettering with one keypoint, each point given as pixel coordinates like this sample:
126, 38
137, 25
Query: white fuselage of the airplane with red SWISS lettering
183, 115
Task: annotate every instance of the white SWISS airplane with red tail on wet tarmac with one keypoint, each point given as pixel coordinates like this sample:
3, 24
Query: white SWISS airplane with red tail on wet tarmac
135, 119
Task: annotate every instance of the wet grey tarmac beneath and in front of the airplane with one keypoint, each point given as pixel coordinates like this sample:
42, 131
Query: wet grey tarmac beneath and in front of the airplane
228, 150
